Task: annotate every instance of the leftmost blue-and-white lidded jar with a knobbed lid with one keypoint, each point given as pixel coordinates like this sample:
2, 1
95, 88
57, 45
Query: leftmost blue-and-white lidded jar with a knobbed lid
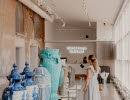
15, 91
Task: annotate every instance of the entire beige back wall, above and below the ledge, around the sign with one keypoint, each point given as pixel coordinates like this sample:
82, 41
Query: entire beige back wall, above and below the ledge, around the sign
54, 32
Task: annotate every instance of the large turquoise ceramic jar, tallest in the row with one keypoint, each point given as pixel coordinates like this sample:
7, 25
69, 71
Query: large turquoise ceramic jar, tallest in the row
50, 59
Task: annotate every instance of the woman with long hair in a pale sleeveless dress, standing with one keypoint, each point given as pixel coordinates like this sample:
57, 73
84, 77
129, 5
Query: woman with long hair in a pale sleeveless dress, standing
91, 88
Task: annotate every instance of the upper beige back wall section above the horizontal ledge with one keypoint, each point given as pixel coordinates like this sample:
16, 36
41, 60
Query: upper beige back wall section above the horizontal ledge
56, 32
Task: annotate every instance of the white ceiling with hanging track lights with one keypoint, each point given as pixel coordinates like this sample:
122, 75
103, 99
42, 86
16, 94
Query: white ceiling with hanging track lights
71, 11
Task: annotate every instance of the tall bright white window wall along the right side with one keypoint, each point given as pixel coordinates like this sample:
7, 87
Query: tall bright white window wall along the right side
122, 40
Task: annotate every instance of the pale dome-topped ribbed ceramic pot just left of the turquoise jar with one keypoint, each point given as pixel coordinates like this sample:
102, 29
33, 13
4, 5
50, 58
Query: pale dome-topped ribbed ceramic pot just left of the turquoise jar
43, 79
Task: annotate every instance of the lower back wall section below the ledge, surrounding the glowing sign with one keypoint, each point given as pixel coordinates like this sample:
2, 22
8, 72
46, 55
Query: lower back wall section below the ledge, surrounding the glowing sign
73, 57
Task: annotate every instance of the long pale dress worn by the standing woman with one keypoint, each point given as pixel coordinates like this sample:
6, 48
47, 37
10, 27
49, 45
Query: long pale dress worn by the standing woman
92, 92
